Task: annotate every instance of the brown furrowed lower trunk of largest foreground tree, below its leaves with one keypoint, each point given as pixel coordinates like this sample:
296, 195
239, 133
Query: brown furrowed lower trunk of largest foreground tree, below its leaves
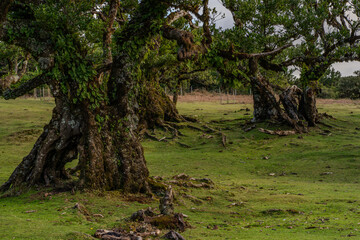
110, 154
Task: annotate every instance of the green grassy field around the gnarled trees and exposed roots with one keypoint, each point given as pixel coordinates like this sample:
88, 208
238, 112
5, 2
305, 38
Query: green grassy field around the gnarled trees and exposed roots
266, 187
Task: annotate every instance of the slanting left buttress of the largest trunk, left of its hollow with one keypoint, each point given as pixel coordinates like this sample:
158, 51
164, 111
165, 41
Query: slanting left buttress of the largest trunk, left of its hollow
56, 146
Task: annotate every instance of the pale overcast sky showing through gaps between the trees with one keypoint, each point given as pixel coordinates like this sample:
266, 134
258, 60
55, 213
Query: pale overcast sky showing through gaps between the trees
346, 69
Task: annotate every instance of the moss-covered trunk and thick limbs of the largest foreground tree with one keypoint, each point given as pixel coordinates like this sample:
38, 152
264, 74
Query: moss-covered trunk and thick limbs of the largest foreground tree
103, 136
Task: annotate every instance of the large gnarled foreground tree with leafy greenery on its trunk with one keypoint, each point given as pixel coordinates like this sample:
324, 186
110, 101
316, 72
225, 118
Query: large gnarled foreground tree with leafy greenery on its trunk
96, 118
